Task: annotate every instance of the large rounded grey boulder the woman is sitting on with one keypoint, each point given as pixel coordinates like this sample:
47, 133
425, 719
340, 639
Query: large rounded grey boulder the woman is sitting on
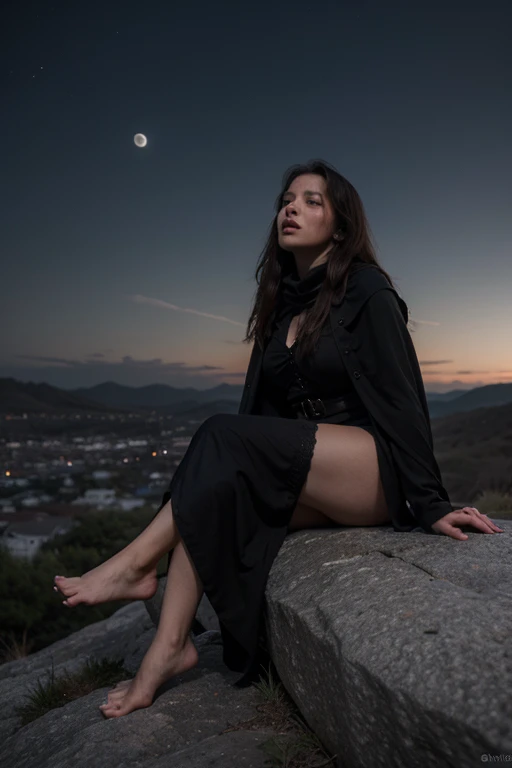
397, 647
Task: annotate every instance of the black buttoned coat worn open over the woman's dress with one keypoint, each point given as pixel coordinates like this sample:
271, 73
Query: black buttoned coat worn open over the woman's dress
370, 330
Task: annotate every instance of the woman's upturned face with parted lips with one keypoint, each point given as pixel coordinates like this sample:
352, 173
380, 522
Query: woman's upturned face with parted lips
306, 202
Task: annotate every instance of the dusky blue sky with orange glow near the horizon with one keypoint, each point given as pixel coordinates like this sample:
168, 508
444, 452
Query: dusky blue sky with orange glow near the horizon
136, 265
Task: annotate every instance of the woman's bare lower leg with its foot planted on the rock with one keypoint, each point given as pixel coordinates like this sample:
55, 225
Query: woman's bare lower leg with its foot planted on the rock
172, 650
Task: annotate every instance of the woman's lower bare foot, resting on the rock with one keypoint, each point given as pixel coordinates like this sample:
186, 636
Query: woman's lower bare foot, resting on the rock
158, 665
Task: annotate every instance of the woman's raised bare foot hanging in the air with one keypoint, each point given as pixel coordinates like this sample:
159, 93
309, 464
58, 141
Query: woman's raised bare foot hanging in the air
115, 579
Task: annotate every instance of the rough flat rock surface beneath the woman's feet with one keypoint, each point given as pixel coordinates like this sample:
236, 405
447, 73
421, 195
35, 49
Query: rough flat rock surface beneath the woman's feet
183, 727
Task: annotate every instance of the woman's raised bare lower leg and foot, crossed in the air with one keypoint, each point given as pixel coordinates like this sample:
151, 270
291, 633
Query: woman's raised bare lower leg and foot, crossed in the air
131, 573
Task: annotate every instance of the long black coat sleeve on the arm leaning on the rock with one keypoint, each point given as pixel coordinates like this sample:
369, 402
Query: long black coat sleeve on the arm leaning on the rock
394, 387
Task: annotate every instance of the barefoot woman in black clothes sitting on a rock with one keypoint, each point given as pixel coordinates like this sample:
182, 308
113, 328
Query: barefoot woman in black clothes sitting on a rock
332, 430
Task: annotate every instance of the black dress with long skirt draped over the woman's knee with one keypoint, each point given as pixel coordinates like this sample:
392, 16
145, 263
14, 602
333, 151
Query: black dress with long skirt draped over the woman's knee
235, 490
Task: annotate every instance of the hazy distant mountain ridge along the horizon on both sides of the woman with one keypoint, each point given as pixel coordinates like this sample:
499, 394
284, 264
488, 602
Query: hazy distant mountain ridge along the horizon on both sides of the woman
18, 397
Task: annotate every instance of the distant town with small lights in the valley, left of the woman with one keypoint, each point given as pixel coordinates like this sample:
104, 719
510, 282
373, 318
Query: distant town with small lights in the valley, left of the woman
57, 464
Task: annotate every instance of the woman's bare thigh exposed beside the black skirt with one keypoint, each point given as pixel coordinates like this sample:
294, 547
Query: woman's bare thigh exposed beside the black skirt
343, 484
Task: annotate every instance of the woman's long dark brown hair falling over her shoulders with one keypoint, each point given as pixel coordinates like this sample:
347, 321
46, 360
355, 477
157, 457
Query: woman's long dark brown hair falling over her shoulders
357, 241
